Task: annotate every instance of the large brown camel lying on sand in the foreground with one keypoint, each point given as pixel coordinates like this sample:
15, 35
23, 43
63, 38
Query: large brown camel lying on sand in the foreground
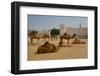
47, 48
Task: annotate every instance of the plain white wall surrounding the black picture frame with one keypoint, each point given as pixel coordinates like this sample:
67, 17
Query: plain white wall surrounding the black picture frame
5, 41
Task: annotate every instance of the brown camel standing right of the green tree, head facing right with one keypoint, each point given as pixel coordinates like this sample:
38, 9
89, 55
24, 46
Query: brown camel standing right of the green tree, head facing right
66, 36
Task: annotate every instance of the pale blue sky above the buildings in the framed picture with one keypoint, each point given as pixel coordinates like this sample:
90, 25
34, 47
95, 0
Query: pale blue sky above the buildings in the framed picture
47, 22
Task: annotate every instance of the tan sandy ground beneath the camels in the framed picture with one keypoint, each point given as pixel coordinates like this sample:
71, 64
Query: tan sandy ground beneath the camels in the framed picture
75, 51
